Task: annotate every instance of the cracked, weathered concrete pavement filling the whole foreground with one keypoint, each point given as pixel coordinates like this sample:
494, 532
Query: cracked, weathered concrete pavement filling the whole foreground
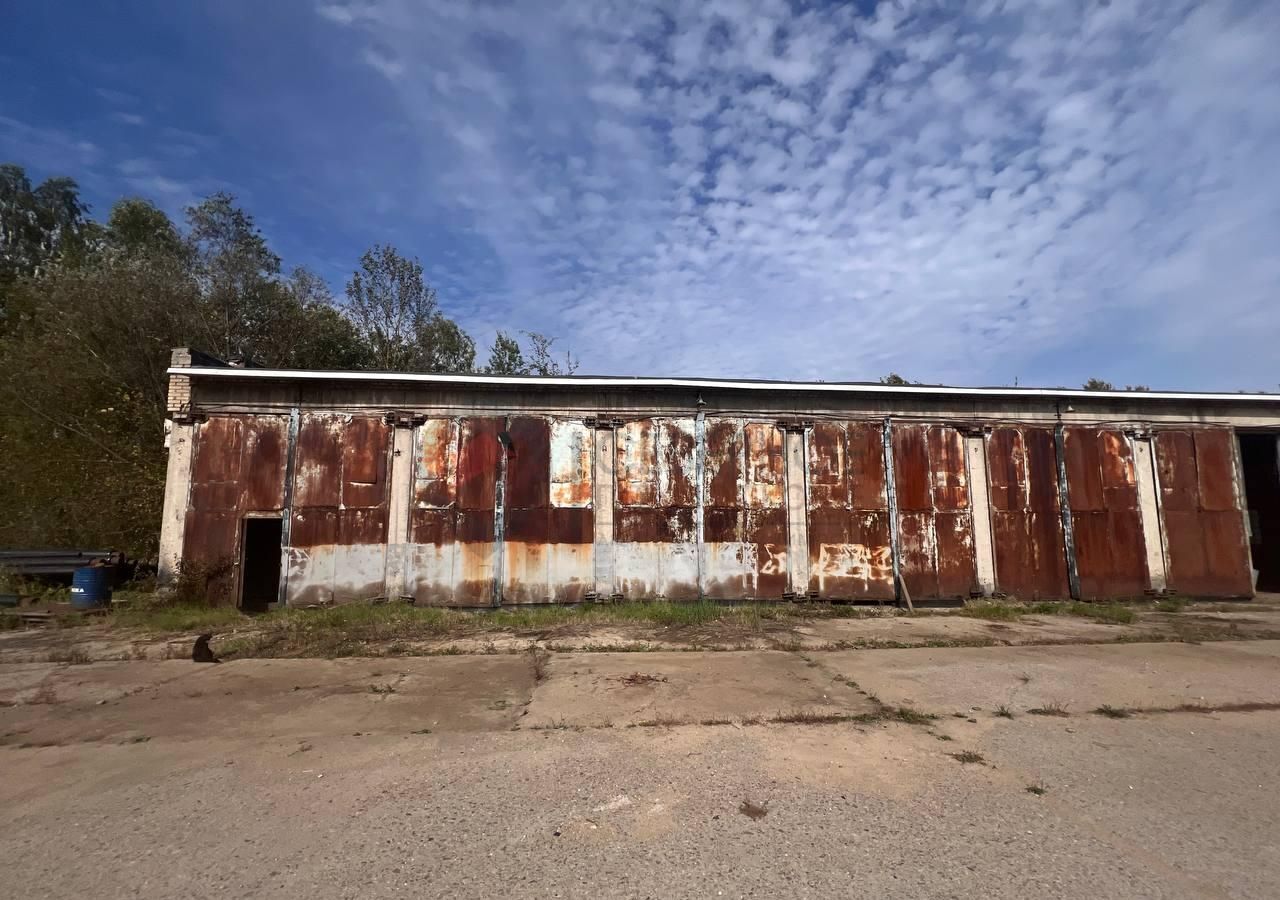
482, 776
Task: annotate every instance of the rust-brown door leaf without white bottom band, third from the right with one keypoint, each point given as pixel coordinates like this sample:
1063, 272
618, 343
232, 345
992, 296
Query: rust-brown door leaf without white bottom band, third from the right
1027, 527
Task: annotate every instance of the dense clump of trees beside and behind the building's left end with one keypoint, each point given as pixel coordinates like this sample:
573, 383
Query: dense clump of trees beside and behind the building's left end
89, 314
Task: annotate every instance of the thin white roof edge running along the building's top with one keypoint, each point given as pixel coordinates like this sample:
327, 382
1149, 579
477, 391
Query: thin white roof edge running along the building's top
621, 381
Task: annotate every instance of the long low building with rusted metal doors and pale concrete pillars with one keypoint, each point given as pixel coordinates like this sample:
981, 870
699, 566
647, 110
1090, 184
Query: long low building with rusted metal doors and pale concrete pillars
324, 487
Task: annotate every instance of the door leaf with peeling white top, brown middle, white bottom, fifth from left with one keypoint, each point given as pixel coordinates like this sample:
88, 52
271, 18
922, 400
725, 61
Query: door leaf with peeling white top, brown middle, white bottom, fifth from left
655, 550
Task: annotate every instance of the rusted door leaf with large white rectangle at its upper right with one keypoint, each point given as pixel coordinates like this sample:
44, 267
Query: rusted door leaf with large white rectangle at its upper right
547, 551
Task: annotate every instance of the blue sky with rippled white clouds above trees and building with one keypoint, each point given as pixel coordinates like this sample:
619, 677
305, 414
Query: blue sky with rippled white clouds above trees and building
1040, 191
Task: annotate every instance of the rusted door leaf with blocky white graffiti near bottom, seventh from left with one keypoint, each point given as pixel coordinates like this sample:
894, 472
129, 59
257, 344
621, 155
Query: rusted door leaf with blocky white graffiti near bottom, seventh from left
851, 556
